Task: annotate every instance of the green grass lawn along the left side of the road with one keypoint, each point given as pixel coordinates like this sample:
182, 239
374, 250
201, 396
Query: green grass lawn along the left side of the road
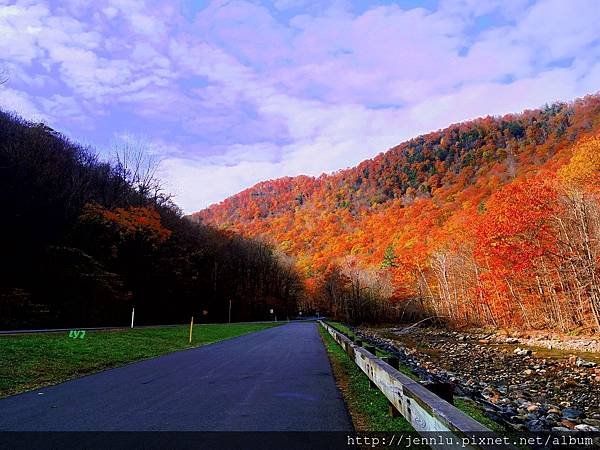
32, 361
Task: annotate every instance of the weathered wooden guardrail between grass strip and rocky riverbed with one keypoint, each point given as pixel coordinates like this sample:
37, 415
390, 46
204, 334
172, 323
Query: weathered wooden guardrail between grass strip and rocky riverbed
424, 410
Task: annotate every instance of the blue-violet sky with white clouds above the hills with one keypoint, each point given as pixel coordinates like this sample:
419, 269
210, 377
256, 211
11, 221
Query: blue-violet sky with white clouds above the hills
227, 93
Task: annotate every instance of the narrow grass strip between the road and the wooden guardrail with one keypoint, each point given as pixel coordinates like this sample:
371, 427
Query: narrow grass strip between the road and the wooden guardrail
368, 406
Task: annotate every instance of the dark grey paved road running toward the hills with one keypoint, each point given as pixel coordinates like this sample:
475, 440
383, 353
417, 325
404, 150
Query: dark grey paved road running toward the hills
273, 380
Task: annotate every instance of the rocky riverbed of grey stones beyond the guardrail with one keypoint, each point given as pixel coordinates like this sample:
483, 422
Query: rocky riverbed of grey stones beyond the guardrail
523, 387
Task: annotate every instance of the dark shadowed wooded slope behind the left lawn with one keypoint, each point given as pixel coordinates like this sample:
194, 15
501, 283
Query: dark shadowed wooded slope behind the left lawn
84, 240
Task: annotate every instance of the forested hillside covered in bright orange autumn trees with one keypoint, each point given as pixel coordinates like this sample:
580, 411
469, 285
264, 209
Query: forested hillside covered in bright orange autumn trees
489, 222
